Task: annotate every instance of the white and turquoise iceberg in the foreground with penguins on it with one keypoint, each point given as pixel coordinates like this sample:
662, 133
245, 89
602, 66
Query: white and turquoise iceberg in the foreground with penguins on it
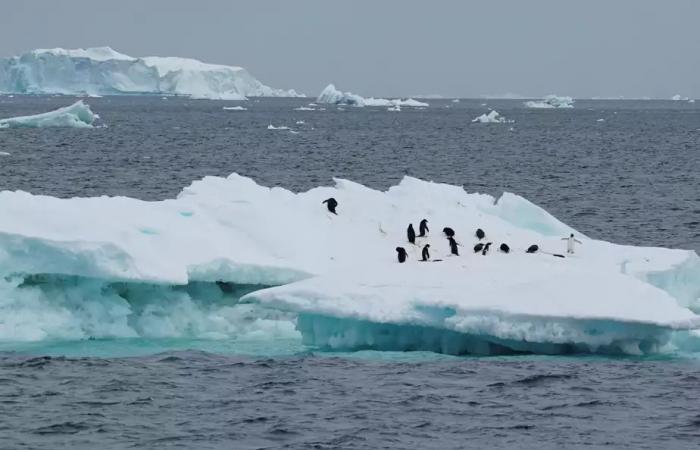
230, 256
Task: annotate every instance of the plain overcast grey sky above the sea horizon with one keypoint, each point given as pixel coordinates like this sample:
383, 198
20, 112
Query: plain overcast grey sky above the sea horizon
632, 48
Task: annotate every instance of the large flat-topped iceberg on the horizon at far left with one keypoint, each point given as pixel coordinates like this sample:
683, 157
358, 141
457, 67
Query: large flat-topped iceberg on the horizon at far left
103, 71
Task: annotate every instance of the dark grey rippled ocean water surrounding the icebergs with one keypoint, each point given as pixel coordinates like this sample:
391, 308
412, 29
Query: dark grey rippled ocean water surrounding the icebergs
631, 178
